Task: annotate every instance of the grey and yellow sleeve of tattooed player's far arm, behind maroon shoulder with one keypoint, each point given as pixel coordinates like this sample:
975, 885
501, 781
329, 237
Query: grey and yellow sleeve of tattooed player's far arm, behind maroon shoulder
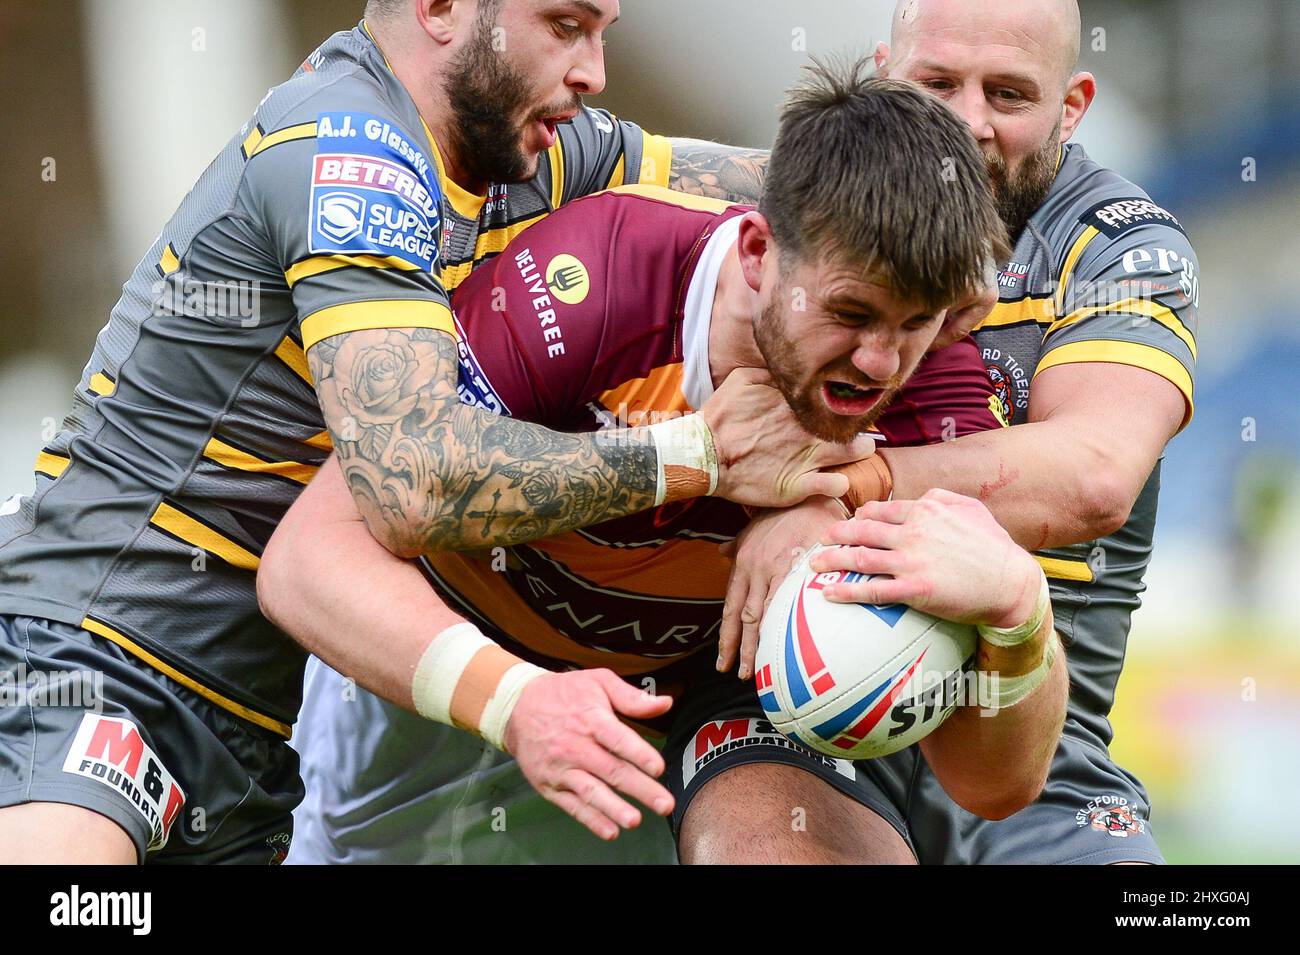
599, 151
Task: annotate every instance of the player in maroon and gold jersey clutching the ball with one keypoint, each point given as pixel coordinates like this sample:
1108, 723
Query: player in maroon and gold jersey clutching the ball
662, 298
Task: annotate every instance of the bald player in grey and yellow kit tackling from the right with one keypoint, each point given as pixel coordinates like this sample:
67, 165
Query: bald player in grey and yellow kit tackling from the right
1091, 350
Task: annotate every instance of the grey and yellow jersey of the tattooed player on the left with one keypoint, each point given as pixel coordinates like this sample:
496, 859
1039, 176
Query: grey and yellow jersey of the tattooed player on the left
196, 424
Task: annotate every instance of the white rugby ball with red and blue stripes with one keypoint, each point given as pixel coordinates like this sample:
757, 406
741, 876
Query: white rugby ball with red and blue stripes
856, 681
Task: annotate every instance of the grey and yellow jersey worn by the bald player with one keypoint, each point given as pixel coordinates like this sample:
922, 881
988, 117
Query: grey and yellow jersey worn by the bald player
1102, 274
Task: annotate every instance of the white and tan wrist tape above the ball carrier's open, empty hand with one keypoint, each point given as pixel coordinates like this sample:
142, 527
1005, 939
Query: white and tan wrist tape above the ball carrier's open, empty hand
453, 659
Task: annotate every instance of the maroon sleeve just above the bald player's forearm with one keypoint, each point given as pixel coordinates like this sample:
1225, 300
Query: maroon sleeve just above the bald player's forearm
950, 396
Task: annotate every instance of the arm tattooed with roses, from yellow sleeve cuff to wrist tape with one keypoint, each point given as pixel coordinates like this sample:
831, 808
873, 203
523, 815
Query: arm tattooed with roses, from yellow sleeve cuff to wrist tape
430, 474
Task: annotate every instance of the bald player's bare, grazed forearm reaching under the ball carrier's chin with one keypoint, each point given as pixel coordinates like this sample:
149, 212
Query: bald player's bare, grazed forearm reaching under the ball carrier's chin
1034, 477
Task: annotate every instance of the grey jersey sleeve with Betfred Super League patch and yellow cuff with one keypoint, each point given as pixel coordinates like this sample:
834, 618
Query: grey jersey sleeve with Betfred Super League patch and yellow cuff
352, 207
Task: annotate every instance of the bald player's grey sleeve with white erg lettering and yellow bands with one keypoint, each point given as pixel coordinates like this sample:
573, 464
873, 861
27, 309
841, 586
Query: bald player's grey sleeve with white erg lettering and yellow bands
1129, 294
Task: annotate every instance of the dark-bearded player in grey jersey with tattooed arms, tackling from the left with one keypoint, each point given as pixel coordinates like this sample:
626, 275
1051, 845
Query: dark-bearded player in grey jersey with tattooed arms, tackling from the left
396, 159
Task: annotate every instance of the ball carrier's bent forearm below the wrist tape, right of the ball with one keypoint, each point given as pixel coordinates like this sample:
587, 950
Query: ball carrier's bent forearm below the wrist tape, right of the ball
994, 763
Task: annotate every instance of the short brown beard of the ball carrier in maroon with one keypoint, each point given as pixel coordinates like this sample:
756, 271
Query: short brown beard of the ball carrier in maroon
803, 392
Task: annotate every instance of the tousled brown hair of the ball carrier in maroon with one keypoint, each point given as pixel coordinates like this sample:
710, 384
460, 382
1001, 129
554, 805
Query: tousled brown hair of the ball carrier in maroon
886, 176
